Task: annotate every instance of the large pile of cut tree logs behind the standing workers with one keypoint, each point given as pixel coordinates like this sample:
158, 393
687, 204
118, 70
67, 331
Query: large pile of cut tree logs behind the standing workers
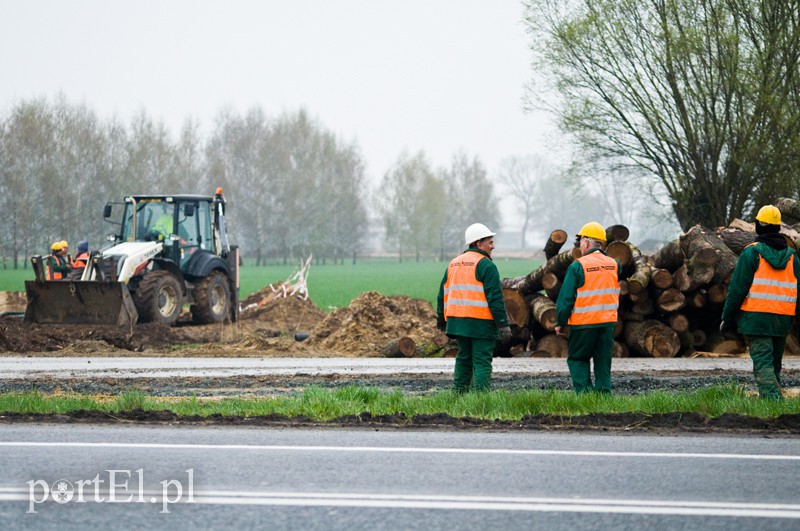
670, 302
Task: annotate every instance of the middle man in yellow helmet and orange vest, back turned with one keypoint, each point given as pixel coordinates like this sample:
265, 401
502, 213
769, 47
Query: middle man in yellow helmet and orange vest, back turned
588, 303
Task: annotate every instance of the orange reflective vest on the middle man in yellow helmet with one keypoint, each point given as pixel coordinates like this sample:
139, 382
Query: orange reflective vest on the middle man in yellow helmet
596, 302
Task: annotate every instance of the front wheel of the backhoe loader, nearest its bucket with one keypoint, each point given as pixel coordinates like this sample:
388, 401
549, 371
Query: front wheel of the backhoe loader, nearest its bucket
159, 298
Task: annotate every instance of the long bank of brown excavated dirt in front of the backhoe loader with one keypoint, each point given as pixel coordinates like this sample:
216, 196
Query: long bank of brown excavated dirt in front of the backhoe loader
268, 326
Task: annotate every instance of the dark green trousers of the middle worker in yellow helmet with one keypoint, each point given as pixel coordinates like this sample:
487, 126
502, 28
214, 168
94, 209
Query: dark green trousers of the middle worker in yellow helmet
586, 344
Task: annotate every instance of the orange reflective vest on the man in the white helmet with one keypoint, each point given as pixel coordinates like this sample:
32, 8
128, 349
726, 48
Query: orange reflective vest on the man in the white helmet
463, 292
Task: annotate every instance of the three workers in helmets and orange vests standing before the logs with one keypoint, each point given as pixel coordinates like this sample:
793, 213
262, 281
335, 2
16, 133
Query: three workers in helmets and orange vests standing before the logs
761, 302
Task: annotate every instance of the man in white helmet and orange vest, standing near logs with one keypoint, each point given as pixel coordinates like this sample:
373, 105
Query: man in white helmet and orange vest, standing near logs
470, 309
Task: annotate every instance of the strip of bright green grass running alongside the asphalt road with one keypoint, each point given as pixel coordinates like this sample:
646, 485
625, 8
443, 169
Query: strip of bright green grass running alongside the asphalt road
325, 404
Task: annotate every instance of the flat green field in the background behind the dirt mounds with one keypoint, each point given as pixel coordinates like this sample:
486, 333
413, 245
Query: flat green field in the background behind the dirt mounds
334, 286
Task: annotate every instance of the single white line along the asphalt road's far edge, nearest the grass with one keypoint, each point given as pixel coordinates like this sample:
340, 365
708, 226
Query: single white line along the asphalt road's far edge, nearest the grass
380, 449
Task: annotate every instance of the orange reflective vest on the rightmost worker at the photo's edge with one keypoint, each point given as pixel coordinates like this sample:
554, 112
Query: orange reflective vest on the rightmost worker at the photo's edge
773, 290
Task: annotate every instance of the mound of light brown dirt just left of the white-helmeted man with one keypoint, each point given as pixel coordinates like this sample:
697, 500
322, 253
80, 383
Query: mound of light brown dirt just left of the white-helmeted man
371, 321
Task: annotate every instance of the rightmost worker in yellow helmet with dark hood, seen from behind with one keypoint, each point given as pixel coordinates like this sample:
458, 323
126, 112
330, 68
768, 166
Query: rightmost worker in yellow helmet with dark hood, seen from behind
762, 297
